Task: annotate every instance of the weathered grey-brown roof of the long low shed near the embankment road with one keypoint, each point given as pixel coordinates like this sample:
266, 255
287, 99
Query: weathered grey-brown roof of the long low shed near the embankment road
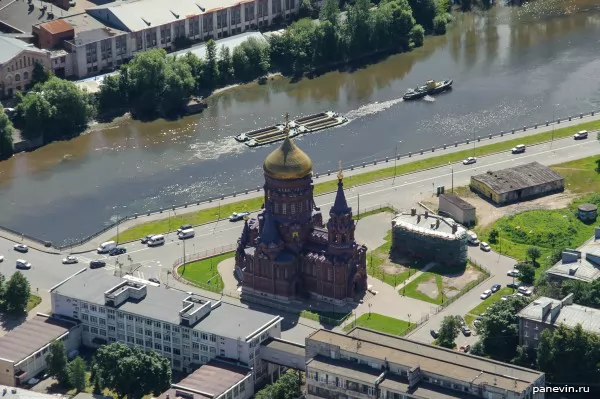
519, 177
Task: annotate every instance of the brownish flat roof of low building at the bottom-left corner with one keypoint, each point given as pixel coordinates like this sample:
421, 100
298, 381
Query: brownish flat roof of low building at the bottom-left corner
31, 336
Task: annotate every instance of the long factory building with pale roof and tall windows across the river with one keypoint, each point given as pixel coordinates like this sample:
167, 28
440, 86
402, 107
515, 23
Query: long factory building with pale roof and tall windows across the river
110, 34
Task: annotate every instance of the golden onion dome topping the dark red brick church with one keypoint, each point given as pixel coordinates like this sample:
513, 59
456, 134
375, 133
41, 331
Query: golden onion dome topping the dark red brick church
287, 162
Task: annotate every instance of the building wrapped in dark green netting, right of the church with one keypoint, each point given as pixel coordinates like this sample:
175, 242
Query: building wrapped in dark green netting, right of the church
429, 237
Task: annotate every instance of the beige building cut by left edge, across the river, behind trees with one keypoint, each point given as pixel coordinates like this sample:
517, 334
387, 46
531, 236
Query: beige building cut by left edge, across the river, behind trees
17, 60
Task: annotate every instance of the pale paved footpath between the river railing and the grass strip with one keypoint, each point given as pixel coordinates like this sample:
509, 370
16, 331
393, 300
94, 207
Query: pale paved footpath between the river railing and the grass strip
325, 176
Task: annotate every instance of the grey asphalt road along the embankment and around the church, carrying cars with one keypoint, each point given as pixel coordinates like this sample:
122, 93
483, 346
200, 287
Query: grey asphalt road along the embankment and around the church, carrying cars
402, 192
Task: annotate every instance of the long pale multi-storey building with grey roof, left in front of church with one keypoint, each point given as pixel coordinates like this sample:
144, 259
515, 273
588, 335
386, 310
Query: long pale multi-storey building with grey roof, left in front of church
187, 329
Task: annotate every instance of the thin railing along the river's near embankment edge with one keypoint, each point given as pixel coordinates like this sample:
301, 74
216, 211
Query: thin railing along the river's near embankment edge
316, 175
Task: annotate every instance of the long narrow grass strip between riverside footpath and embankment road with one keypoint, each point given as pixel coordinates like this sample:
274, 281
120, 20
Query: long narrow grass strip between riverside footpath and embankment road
211, 214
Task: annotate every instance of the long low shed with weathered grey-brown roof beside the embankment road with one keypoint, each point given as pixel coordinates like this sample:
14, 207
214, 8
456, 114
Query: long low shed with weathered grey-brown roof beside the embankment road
516, 184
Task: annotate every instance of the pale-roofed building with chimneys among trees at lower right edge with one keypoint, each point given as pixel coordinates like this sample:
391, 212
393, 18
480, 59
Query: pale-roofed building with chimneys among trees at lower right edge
547, 313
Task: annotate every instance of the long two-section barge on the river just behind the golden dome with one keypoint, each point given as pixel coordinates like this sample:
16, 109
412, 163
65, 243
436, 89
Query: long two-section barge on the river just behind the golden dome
306, 124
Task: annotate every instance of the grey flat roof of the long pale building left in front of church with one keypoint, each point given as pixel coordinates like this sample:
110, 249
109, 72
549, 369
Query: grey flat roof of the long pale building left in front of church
164, 304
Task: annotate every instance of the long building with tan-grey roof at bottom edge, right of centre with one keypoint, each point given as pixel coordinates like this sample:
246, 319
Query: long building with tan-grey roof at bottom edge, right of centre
367, 364
